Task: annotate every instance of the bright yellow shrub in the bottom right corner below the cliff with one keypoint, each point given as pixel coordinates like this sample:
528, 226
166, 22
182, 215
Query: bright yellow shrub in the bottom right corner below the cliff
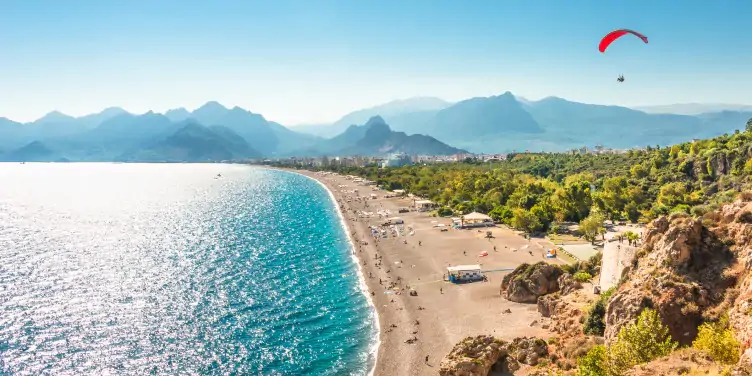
718, 341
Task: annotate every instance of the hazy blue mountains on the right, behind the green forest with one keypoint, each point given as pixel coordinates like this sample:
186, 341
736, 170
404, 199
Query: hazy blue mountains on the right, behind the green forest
506, 122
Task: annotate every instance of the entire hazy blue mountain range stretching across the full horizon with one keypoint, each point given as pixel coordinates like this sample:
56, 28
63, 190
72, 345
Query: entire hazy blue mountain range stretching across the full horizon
422, 125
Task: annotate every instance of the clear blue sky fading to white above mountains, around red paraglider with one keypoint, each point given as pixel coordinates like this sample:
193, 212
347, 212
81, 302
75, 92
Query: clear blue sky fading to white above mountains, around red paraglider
313, 61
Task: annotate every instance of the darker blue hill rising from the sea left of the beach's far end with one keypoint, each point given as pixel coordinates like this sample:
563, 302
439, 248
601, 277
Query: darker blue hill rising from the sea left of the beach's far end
193, 142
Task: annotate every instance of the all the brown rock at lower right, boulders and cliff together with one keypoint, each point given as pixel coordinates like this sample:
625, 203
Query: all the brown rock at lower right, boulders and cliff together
690, 270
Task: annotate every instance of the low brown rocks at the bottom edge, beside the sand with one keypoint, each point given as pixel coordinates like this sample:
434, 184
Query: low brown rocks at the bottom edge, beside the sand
476, 356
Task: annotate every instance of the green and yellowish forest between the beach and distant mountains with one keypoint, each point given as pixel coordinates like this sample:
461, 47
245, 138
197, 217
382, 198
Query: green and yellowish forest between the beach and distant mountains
532, 191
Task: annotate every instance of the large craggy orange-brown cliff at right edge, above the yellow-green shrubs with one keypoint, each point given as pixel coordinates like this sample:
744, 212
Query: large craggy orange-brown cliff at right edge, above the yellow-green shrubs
691, 270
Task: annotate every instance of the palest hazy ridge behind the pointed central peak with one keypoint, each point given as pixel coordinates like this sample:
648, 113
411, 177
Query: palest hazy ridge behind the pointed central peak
387, 111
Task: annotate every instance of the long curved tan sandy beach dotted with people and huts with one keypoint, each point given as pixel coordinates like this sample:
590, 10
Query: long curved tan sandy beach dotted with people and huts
442, 313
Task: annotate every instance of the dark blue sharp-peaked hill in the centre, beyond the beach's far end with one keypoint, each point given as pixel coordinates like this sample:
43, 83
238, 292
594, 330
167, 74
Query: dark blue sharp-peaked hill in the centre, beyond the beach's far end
375, 138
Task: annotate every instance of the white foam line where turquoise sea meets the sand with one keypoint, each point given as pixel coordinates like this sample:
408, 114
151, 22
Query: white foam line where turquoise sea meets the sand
375, 345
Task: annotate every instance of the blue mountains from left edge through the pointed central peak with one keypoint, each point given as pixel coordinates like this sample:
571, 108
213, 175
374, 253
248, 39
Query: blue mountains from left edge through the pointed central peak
210, 133
